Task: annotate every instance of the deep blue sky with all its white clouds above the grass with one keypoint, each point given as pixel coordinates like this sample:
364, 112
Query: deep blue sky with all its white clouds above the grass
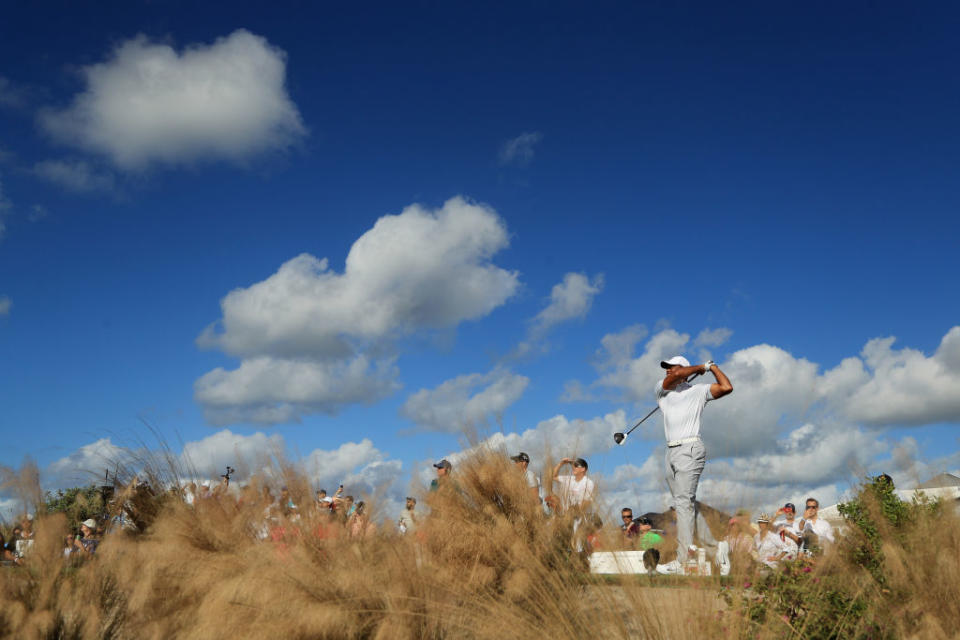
538, 203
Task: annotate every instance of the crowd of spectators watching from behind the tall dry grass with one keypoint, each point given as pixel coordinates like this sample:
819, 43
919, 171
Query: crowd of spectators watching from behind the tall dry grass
768, 541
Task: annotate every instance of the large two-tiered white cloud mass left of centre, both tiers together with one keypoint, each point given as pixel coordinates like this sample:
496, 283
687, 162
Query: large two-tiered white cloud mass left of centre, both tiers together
311, 338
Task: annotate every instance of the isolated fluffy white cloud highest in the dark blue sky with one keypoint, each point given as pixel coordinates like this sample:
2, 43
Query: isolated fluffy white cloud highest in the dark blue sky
148, 103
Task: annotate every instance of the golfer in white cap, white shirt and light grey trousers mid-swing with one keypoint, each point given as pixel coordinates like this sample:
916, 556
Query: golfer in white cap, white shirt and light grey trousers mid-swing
682, 404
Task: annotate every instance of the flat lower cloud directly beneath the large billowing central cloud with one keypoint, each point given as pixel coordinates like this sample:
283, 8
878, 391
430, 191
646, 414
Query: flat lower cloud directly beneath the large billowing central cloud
265, 390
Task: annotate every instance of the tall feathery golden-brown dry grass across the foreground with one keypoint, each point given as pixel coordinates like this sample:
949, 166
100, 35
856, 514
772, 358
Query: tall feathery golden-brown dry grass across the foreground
485, 564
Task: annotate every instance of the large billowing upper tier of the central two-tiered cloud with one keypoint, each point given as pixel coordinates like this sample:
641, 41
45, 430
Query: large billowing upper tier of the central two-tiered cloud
420, 269
